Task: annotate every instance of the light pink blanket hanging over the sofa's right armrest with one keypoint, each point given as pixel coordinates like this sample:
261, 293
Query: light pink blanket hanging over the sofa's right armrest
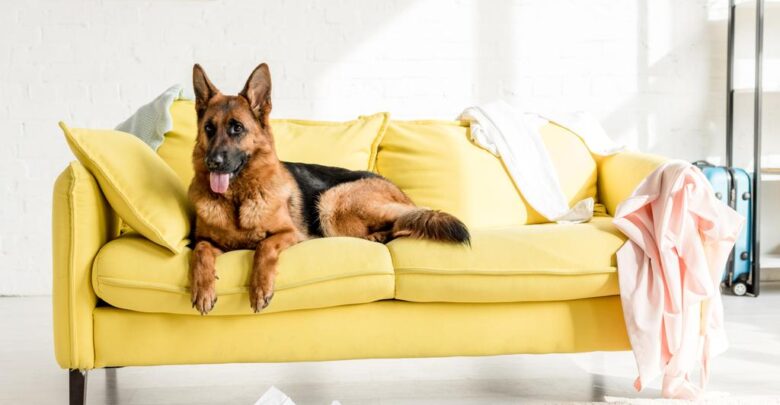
670, 269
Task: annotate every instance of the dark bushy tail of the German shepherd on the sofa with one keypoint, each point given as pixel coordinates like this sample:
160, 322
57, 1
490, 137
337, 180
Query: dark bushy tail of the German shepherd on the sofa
423, 223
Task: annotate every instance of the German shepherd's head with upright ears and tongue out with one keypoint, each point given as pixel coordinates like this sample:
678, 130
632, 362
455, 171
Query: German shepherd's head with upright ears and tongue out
231, 129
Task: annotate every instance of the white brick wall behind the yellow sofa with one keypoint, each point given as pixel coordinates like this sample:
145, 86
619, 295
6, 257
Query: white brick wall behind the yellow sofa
653, 71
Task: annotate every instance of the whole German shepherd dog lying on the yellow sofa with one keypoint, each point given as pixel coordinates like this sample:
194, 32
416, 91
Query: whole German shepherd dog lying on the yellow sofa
245, 198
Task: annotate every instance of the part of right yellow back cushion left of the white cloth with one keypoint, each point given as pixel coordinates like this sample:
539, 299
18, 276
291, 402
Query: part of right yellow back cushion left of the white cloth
437, 166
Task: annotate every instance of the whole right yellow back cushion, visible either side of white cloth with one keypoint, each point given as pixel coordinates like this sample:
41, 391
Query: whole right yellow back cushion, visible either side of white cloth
436, 164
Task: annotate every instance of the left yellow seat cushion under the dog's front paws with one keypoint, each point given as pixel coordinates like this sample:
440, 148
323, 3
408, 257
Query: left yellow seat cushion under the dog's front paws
132, 273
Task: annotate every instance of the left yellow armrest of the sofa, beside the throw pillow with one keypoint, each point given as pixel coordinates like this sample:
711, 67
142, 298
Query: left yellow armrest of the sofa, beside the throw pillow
82, 222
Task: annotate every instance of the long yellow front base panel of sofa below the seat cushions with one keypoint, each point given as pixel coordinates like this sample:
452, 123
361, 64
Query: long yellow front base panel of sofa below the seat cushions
386, 329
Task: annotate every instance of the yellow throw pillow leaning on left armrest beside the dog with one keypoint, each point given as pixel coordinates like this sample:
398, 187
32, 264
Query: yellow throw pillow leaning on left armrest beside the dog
141, 188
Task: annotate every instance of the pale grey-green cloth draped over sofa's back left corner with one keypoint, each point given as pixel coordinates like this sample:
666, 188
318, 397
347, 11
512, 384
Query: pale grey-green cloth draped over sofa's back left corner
152, 120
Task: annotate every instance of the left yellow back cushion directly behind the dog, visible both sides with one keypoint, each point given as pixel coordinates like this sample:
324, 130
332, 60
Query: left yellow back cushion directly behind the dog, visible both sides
350, 144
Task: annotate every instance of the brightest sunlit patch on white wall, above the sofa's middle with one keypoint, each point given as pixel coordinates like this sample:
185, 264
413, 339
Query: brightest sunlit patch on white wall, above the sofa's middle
421, 53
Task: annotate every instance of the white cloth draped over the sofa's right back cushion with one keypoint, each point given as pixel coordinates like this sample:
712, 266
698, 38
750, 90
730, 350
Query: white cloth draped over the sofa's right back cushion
514, 137
